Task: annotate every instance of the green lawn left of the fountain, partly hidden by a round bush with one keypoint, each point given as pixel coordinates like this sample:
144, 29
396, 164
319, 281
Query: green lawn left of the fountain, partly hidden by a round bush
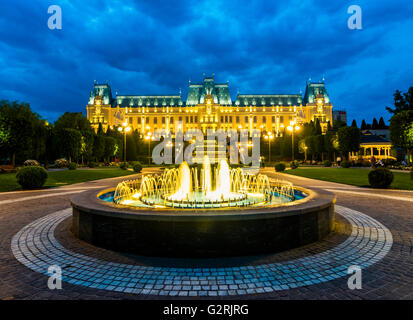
65, 177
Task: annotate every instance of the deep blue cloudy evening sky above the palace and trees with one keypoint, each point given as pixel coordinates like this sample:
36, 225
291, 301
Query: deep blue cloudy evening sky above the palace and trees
155, 47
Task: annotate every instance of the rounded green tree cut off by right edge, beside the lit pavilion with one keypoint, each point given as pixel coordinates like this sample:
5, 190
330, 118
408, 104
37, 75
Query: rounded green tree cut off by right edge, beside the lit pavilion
400, 125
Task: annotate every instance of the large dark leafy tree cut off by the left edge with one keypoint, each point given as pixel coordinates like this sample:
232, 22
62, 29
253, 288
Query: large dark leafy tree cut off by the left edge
18, 128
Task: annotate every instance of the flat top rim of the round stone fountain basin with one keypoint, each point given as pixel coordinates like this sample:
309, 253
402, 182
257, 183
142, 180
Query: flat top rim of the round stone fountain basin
88, 201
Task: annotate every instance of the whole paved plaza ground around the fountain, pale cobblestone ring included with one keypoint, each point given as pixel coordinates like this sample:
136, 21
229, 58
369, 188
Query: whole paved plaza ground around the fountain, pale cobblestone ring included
389, 215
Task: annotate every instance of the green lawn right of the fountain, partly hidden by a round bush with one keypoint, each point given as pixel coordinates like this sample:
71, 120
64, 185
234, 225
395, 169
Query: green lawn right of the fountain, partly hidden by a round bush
355, 177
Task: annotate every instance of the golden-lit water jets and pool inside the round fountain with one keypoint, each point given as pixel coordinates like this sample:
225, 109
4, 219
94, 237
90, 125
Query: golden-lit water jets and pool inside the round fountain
203, 188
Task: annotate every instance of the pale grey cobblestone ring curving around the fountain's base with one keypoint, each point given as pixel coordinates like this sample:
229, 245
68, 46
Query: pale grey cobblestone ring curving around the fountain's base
36, 247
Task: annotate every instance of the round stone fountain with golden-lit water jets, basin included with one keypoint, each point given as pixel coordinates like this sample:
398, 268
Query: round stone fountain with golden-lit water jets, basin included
203, 211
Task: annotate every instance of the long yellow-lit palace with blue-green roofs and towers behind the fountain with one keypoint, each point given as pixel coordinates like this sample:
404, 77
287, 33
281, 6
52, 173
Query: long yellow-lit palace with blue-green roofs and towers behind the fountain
209, 106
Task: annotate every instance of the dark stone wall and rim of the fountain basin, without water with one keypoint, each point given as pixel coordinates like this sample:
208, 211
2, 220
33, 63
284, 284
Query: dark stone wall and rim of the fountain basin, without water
203, 232
